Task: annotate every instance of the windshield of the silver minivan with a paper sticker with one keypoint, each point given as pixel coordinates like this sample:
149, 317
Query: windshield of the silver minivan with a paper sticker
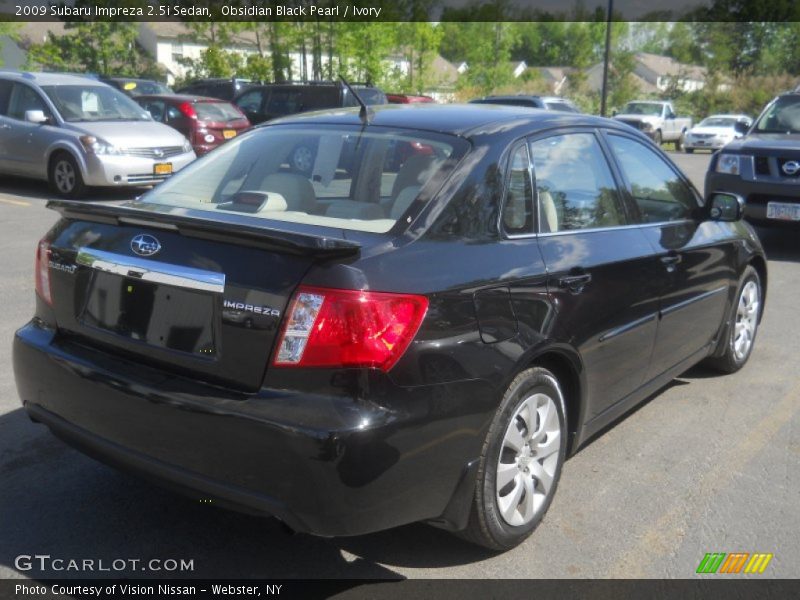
78, 103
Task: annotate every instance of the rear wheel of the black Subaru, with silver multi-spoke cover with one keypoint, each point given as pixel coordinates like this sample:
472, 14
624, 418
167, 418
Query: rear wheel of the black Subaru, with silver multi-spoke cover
520, 462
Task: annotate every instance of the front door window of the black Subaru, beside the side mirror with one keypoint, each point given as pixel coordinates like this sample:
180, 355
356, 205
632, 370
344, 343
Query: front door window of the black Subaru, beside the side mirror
660, 194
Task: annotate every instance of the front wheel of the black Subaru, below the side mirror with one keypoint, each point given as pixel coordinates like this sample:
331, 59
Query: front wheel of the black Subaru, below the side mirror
742, 327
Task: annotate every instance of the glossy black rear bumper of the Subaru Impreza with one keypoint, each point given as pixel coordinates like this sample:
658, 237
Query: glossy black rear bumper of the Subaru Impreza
325, 464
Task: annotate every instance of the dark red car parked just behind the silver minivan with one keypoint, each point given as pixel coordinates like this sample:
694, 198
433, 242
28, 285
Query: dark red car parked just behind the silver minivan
206, 122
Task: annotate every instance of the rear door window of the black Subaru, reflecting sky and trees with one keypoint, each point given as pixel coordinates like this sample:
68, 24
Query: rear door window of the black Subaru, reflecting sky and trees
574, 185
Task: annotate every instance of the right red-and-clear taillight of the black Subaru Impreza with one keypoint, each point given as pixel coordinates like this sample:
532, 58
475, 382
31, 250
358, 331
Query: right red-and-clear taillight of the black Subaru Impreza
347, 328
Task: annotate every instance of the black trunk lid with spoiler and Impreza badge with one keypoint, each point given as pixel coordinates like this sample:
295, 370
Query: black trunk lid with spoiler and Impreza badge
198, 297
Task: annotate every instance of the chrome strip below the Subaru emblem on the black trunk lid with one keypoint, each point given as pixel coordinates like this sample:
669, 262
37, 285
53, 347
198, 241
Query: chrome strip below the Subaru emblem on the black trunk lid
150, 270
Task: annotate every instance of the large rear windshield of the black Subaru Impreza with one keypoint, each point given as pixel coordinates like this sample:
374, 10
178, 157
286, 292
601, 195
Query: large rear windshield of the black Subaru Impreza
330, 176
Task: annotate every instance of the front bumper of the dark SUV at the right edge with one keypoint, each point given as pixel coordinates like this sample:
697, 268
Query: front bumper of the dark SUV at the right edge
757, 194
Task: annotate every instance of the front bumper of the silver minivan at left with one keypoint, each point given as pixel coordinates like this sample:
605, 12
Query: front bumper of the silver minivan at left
111, 171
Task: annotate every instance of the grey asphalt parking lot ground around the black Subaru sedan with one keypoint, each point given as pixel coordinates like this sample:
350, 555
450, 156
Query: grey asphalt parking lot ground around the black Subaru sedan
709, 464
